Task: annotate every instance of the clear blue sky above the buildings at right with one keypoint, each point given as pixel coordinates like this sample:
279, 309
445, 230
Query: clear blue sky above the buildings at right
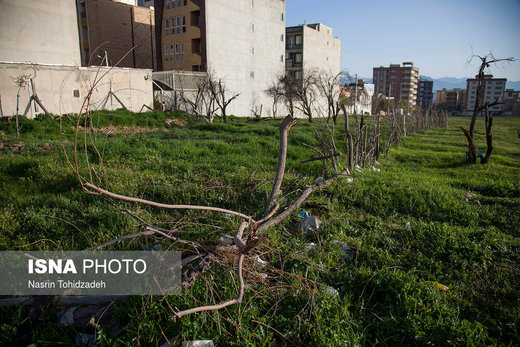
437, 35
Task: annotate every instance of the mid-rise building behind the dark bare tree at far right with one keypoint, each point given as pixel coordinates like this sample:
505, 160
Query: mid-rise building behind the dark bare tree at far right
492, 88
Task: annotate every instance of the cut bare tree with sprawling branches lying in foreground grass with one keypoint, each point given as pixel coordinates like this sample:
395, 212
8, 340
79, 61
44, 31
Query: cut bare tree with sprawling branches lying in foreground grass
249, 234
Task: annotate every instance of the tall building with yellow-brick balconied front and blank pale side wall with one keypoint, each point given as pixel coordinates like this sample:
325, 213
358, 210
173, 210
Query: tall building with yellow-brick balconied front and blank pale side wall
240, 41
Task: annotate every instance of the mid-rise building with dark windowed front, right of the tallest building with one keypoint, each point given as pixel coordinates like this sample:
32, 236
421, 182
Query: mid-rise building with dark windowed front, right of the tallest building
309, 47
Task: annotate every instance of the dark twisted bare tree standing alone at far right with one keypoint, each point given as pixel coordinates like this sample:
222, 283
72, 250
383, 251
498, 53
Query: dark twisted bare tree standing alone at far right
482, 107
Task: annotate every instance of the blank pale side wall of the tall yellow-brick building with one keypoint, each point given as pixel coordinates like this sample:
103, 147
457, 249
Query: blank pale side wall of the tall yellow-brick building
229, 43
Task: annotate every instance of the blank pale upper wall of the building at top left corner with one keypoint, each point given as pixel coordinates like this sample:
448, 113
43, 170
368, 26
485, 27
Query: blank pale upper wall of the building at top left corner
42, 31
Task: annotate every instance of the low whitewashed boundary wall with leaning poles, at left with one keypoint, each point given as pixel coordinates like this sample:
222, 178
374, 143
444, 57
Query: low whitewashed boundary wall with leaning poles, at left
55, 85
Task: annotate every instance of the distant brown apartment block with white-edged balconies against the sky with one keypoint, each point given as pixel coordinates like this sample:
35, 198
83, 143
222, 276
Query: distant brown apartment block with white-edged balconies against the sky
399, 81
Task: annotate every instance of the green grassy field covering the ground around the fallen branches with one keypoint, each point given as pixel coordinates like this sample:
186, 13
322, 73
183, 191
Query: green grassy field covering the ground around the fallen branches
435, 243
